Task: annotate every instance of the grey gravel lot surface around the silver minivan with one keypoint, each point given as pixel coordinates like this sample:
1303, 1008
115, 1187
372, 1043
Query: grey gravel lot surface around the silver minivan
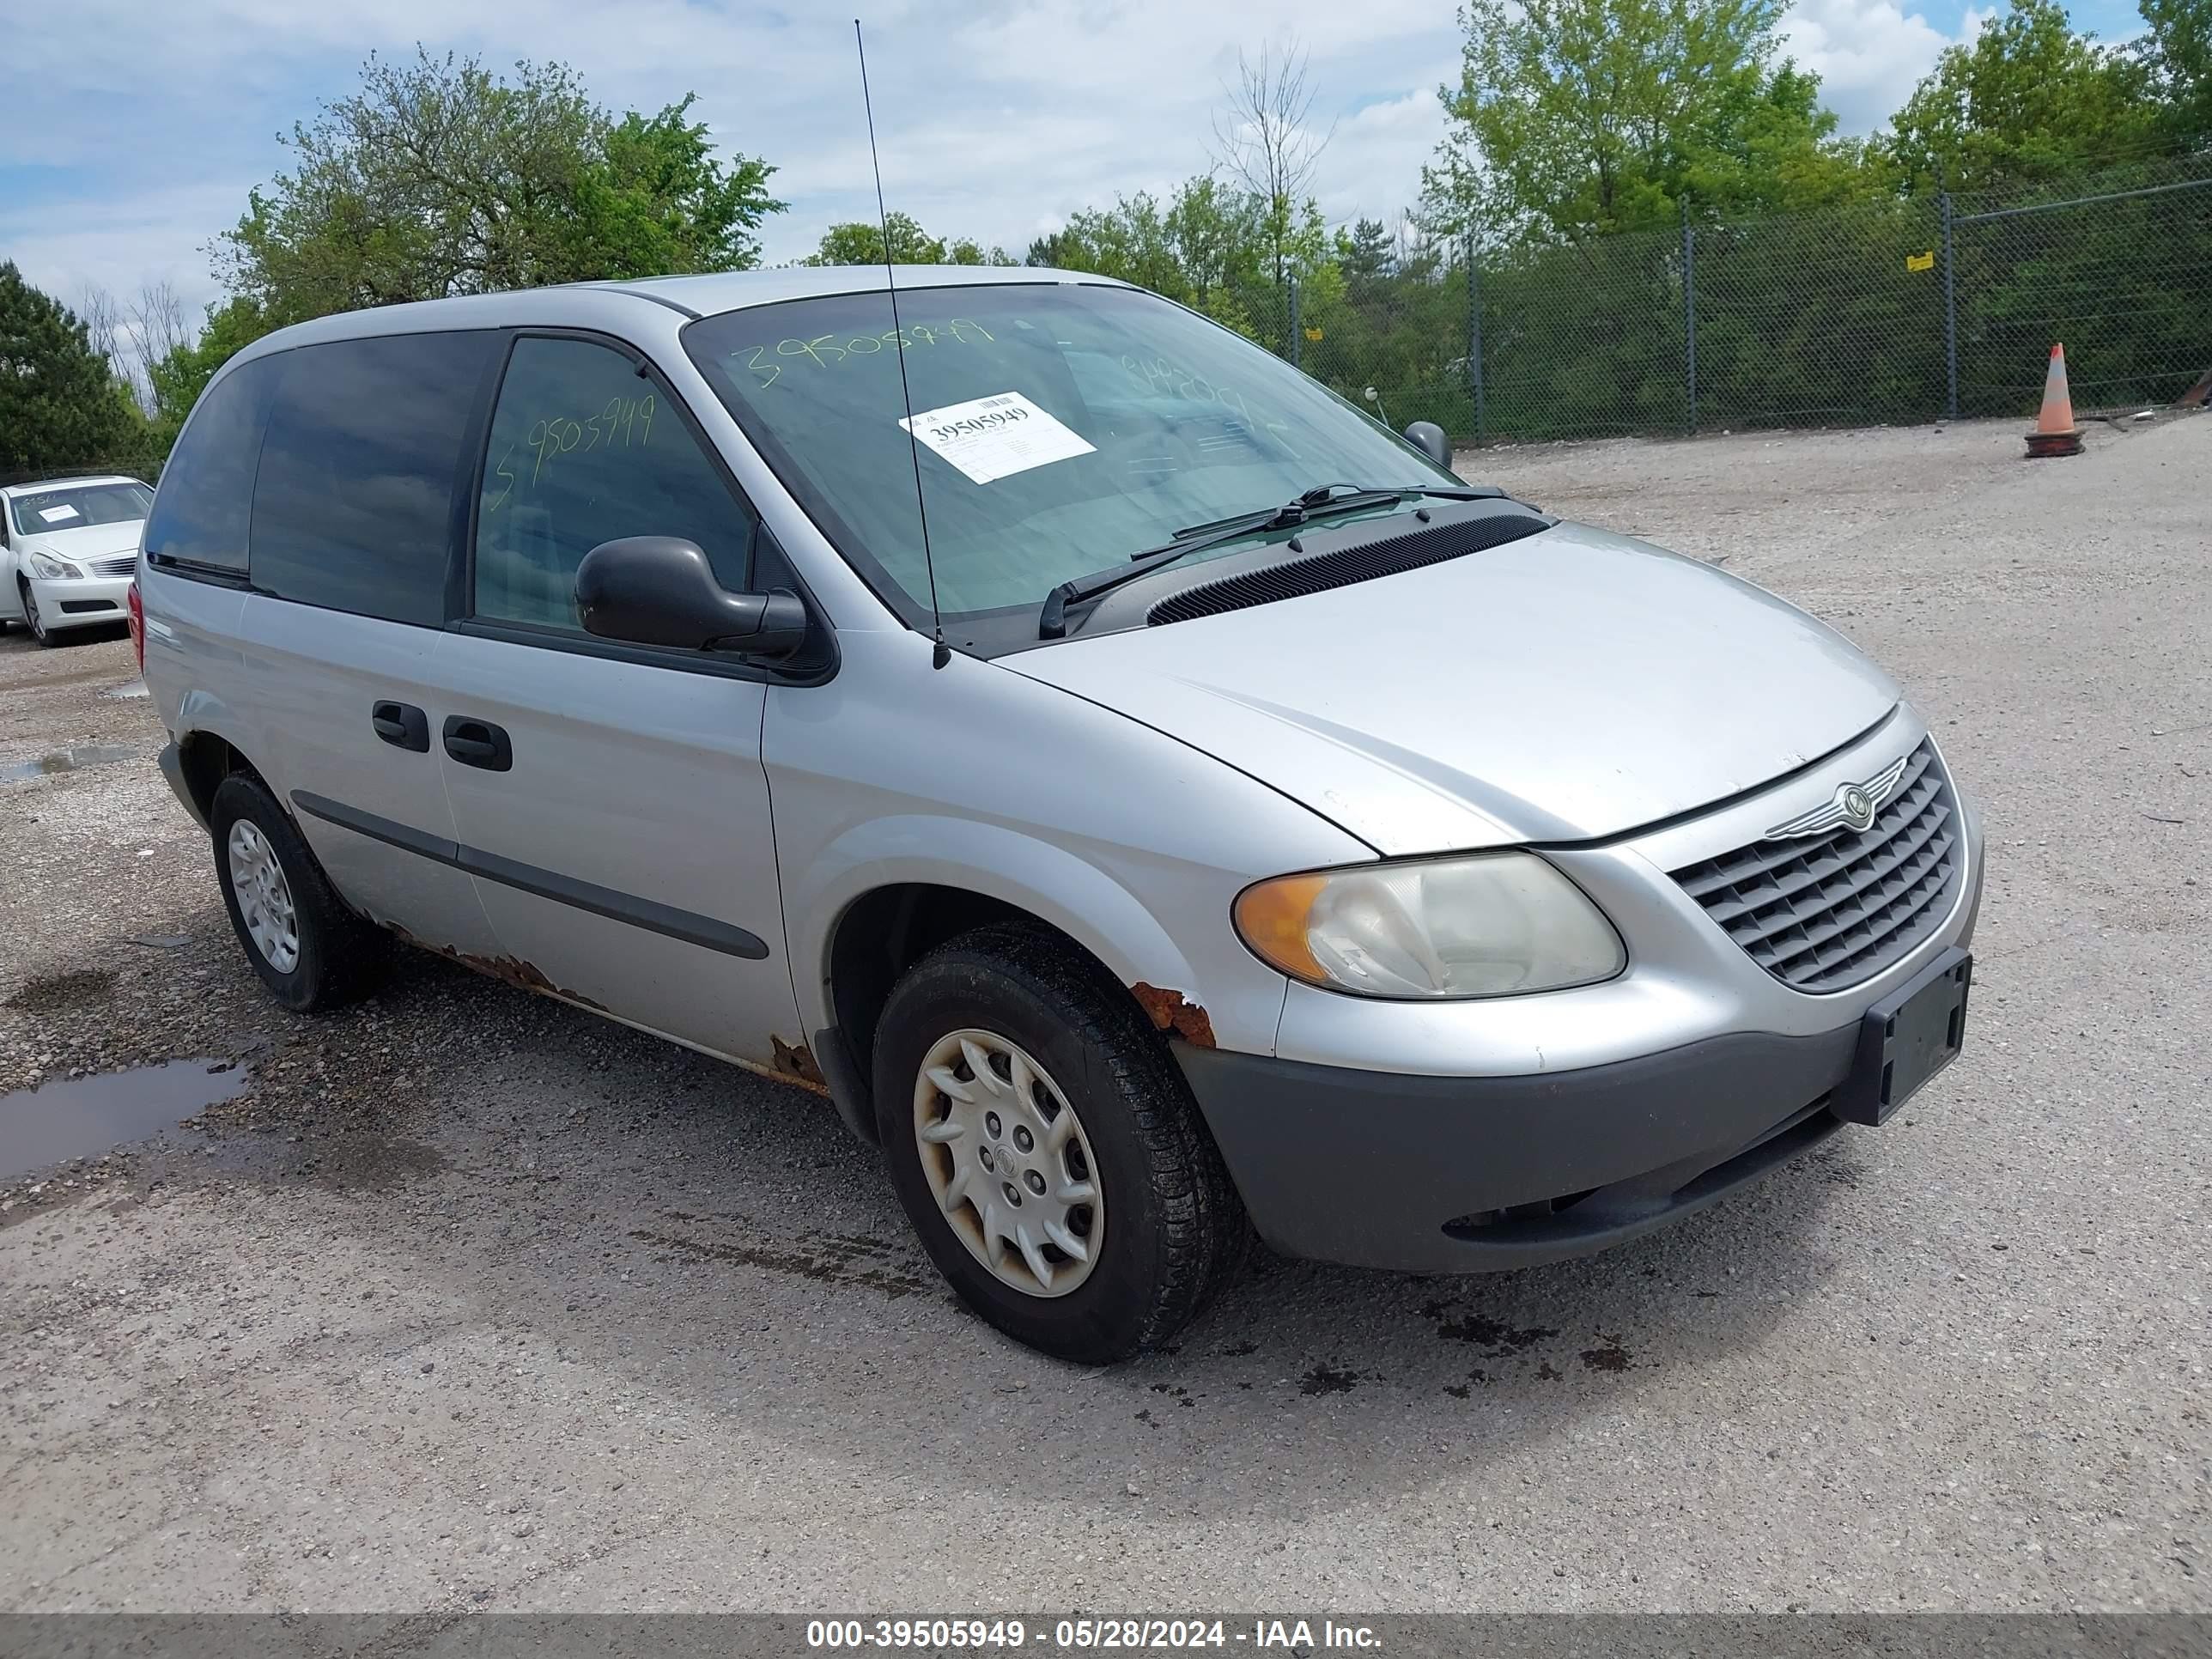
477, 1302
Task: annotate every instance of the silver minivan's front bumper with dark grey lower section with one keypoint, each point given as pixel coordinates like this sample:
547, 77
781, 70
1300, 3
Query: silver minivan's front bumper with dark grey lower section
1574, 1120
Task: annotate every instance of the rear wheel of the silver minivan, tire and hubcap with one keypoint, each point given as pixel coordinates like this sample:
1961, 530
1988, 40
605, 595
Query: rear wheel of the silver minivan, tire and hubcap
304, 943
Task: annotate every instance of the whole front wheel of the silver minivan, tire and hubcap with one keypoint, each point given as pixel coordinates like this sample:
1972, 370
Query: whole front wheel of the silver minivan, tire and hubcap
1047, 1149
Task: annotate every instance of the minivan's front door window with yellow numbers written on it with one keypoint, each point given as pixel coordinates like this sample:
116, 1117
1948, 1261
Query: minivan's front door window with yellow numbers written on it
587, 450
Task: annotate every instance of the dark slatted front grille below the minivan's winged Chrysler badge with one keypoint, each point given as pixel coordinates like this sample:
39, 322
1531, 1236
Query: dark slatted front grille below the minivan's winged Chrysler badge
1828, 912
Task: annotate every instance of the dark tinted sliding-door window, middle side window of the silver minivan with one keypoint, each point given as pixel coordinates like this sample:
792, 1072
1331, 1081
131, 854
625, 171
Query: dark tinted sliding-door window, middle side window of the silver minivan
366, 455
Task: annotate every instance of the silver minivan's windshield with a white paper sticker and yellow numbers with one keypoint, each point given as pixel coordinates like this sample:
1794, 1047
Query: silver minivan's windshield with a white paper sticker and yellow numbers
1061, 430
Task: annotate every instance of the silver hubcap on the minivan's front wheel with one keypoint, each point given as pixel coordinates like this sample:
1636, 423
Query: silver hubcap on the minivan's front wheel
1010, 1165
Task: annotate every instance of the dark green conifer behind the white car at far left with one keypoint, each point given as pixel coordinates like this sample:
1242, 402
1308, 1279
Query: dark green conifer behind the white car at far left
61, 404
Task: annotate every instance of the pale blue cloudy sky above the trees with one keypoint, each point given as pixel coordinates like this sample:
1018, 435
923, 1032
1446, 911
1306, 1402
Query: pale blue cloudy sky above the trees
136, 127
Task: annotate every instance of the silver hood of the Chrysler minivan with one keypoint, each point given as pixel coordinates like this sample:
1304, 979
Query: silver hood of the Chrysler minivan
1565, 687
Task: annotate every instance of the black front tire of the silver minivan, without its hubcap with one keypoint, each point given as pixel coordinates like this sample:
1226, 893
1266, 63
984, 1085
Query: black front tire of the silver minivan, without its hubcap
1176, 1231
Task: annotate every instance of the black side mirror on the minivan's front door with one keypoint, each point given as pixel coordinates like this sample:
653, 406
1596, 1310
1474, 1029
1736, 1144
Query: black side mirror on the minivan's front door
660, 592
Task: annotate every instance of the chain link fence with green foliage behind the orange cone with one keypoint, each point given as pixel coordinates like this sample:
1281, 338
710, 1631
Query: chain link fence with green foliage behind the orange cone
1884, 313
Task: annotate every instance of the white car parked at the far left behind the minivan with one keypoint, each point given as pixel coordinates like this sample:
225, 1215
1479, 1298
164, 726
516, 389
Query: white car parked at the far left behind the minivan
67, 552
